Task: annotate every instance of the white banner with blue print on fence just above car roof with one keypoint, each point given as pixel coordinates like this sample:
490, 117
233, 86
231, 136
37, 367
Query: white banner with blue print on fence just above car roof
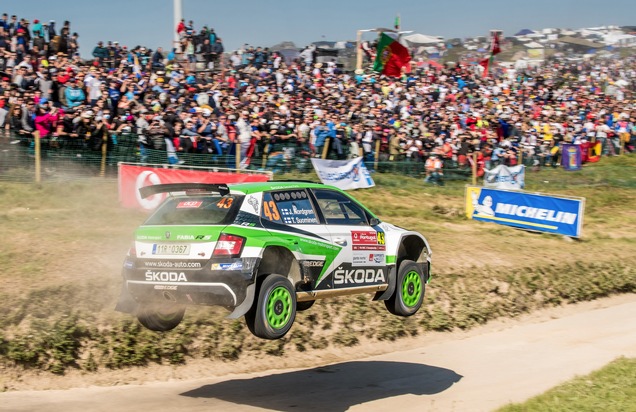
343, 174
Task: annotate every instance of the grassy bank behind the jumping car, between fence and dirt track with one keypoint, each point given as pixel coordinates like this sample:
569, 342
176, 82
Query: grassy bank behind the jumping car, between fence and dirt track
64, 244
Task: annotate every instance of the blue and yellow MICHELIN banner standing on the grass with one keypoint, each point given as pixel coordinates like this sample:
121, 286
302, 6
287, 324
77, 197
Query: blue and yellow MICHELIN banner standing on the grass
527, 211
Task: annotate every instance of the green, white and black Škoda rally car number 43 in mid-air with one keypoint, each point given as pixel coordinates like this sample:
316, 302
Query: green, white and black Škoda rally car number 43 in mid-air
266, 251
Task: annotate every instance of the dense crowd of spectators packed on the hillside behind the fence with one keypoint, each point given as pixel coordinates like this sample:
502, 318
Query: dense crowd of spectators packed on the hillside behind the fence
302, 108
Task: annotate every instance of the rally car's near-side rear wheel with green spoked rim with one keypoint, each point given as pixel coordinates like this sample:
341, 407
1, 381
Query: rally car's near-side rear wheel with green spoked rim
273, 313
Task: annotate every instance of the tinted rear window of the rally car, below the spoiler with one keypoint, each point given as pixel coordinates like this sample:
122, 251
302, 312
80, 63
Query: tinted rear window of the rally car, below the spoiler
197, 210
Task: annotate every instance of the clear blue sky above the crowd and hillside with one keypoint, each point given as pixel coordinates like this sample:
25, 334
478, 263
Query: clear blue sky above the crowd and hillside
266, 23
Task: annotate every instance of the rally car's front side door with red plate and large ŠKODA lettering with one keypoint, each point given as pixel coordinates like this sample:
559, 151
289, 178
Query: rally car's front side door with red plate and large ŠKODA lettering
362, 260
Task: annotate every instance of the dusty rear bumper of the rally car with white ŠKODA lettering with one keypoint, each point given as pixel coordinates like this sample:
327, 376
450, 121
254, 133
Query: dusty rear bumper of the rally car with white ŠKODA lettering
215, 282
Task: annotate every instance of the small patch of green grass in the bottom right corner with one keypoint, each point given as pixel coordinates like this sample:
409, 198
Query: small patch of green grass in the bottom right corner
610, 389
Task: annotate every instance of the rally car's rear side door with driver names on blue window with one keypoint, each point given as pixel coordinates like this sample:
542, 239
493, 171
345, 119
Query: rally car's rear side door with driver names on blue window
290, 214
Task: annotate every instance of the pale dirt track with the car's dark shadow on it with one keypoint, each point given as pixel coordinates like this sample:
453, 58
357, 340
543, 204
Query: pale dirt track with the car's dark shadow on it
473, 371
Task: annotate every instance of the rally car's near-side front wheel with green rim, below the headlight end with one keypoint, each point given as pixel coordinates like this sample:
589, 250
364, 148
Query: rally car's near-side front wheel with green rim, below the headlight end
409, 290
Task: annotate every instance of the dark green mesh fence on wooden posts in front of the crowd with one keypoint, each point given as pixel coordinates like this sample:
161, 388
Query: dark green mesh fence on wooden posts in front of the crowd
24, 158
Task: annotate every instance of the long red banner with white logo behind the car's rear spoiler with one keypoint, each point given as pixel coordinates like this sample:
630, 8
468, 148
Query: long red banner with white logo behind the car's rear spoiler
133, 177
